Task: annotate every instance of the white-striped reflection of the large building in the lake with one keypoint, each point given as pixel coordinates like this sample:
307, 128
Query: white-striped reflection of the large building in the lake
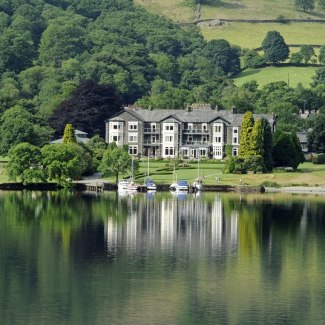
170, 222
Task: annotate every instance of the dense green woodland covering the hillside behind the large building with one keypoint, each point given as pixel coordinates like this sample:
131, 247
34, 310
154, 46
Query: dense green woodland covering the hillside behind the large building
80, 61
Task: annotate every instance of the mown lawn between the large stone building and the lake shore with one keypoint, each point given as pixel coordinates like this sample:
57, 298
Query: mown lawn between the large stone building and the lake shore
308, 174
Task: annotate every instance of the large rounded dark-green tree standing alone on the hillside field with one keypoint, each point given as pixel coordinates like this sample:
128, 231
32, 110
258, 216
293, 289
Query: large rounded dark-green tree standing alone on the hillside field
274, 47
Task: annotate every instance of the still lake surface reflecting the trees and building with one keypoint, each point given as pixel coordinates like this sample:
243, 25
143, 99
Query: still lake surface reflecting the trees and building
159, 259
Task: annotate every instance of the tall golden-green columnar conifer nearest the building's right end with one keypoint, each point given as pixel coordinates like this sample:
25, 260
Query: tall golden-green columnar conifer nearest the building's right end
247, 125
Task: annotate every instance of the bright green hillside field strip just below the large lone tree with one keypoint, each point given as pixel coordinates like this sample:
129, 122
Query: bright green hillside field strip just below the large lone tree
263, 76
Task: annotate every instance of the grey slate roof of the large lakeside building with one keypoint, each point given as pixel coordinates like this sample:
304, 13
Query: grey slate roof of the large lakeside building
195, 115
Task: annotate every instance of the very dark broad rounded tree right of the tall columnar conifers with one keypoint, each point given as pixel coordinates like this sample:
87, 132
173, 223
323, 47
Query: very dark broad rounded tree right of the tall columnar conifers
286, 151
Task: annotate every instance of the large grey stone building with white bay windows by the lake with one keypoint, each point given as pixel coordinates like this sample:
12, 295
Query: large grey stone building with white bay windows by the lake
170, 133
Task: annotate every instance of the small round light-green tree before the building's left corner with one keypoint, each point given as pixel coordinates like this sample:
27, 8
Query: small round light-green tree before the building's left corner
116, 160
